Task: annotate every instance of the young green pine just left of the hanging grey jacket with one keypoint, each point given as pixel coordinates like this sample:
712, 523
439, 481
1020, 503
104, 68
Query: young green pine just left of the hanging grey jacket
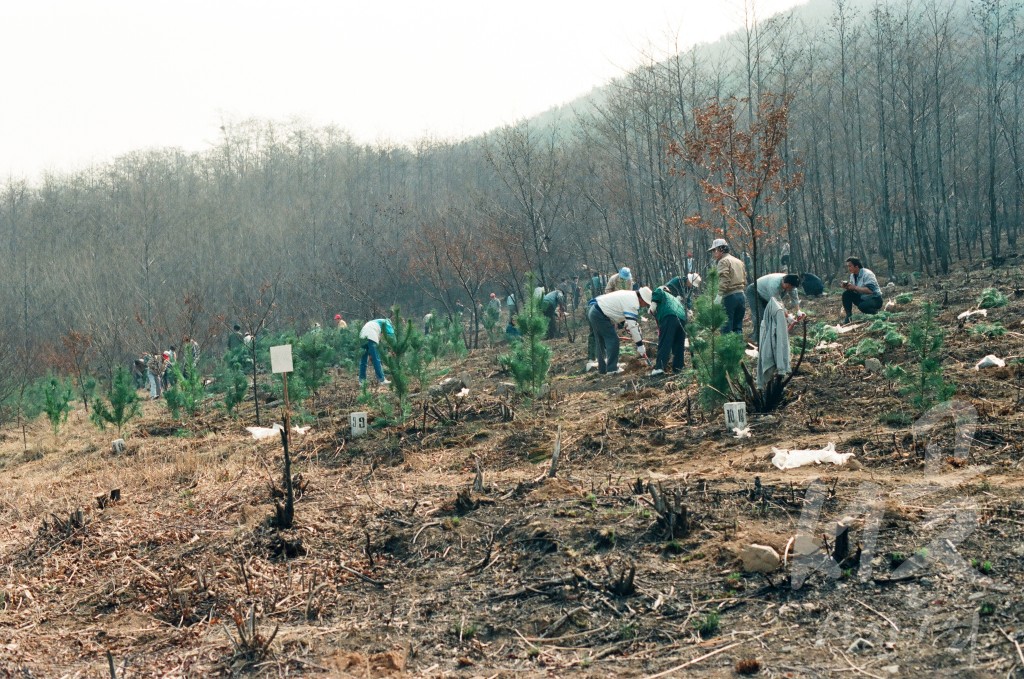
717, 357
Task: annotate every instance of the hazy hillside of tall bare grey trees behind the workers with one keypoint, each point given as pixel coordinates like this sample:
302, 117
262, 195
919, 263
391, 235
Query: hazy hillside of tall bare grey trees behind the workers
905, 128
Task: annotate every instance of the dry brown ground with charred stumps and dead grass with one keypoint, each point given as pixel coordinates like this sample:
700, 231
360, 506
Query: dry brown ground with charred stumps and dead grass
398, 567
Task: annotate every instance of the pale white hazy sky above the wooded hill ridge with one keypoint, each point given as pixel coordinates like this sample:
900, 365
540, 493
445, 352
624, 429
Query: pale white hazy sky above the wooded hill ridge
88, 80
